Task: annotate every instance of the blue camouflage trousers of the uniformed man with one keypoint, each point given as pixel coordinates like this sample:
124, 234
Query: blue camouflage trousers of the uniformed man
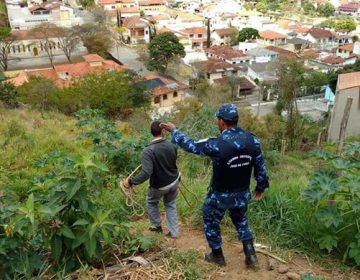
215, 206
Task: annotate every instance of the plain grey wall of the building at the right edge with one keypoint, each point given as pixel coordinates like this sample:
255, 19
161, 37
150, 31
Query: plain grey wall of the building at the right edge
353, 126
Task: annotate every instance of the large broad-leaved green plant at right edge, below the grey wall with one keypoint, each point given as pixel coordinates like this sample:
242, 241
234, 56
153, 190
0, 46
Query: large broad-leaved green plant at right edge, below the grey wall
334, 190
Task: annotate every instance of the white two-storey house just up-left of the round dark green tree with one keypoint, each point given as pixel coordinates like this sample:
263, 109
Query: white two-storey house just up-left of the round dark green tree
137, 30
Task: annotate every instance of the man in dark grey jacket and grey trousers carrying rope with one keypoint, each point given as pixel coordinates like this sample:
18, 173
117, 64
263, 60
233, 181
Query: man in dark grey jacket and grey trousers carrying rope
159, 164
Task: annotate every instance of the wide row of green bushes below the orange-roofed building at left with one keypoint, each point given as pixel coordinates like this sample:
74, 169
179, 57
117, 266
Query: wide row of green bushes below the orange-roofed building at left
117, 93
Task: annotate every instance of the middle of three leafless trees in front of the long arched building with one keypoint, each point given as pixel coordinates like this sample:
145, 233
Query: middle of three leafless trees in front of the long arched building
46, 33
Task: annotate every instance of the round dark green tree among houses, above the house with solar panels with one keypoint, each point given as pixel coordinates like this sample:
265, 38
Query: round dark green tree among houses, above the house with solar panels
164, 48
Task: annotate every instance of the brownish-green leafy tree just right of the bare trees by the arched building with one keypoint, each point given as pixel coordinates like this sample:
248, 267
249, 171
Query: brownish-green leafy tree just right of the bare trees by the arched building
96, 38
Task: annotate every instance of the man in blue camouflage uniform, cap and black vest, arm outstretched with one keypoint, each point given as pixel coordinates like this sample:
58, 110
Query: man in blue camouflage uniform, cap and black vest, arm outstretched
235, 153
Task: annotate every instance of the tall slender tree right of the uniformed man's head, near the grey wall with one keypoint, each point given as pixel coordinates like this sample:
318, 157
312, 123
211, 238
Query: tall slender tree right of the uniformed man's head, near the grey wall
290, 80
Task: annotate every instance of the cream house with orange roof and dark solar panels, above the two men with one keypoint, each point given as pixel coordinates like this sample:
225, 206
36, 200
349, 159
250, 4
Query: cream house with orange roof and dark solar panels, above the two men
165, 92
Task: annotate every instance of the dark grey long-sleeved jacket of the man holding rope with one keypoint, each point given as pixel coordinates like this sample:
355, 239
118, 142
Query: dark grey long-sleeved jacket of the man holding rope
158, 163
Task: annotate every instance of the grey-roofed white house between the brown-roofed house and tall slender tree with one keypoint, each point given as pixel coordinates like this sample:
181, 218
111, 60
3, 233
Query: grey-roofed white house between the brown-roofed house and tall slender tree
262, 72
